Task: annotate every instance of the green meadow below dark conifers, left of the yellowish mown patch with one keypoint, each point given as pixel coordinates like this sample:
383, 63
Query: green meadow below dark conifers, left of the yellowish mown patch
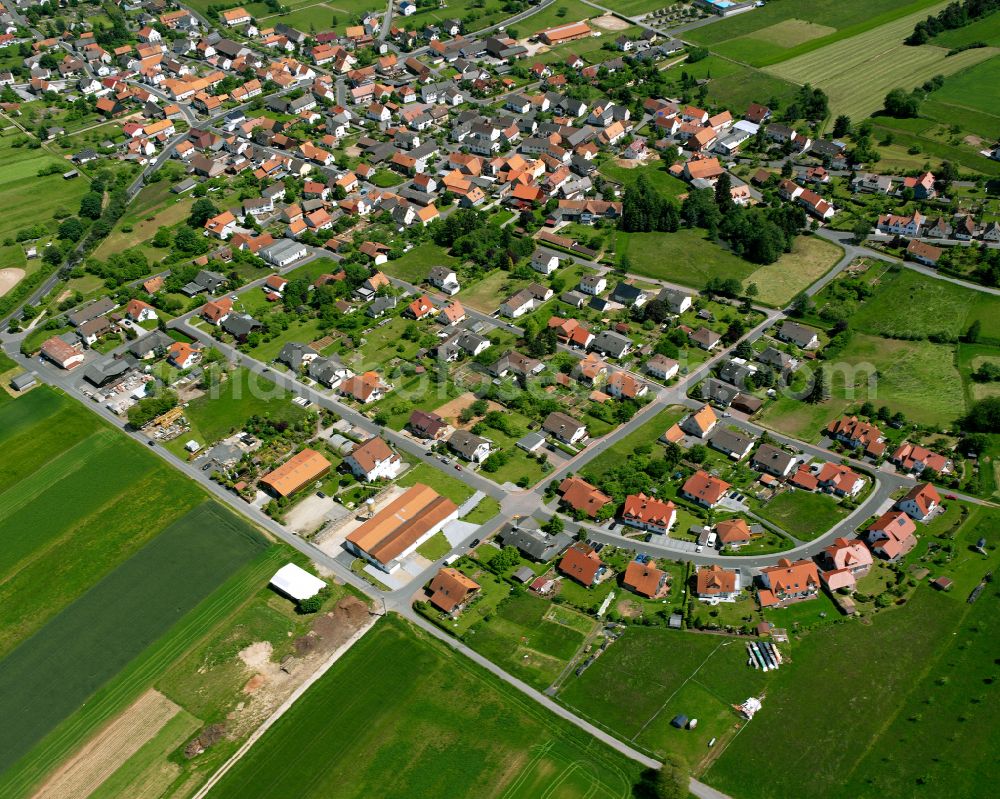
684, 257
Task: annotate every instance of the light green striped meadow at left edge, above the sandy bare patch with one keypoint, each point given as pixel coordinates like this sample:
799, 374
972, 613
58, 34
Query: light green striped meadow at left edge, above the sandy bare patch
19, 179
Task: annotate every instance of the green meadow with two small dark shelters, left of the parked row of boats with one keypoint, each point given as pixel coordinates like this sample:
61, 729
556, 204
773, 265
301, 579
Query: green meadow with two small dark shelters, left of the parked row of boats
651, 675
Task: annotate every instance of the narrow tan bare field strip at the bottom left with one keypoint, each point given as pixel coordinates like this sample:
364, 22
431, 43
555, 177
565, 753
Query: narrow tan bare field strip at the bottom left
104, 753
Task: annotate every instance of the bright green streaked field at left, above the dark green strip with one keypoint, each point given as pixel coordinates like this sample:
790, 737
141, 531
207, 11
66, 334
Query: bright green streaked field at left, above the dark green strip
72, 508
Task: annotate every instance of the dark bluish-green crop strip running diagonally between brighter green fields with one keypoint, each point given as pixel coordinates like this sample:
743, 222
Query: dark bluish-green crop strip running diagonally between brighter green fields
51, 675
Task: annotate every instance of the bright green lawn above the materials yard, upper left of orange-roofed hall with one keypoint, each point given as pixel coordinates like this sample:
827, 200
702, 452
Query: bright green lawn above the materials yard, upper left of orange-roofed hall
243, 395
